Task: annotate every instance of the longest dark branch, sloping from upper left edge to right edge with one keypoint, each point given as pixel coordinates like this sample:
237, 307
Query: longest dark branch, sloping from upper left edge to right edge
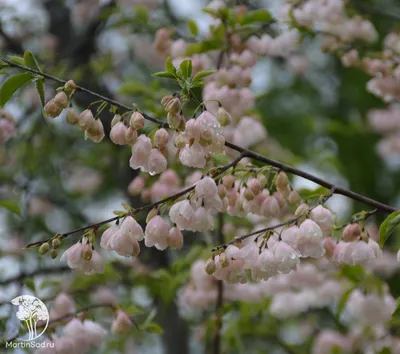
245, 152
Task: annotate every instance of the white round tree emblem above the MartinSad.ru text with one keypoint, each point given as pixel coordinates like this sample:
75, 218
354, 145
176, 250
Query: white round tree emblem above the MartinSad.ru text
33, 313
